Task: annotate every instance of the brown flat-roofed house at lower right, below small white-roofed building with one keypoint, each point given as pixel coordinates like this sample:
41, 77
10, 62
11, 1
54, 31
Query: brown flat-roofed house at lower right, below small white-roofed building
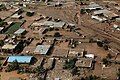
84, 63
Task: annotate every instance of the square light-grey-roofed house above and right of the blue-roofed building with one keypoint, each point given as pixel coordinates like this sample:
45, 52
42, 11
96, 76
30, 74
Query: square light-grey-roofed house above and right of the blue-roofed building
42, 49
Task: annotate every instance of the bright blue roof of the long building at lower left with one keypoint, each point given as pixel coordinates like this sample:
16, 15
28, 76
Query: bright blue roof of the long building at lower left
20, 59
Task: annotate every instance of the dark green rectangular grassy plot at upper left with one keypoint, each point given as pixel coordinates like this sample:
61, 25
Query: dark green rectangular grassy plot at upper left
14, 27
